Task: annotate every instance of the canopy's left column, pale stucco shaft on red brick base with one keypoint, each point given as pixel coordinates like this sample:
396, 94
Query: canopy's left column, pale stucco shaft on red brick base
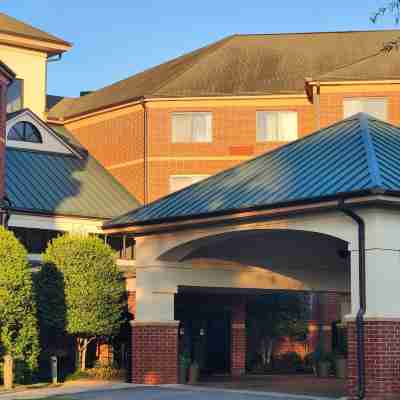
154, 338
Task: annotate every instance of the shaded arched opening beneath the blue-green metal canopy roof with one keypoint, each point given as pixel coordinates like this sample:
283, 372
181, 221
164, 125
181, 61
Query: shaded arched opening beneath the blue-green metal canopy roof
219, 319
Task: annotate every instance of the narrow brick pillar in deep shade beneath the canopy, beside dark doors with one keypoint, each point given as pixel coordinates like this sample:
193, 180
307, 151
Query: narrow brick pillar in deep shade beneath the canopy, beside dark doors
238, 339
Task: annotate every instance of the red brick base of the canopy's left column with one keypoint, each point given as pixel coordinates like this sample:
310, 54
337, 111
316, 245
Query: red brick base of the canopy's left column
155, 352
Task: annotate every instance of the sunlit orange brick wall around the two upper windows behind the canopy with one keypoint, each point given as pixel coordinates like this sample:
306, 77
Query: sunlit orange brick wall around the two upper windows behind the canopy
234, 139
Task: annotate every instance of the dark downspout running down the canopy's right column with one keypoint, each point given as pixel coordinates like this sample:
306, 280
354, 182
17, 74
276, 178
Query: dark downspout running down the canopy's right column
362, 298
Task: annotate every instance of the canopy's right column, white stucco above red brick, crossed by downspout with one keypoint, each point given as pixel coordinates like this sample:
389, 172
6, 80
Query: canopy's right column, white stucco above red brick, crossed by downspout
381, 326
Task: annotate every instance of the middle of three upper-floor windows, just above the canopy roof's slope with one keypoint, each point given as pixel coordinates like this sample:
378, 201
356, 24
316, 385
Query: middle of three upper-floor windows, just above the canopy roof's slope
276, 126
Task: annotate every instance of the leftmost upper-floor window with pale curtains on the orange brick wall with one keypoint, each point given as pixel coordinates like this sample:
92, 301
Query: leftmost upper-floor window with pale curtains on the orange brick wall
192, 127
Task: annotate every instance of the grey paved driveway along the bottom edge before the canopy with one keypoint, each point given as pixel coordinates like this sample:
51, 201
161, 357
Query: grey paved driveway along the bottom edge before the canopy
174, 394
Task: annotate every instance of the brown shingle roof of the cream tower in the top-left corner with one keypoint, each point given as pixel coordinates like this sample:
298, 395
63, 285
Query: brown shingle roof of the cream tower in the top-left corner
13, 26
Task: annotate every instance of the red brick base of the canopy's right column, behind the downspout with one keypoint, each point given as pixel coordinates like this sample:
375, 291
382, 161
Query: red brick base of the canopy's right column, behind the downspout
382, 360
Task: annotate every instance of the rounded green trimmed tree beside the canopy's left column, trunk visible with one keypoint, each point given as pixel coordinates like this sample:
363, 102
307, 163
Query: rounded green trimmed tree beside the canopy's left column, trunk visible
94, 289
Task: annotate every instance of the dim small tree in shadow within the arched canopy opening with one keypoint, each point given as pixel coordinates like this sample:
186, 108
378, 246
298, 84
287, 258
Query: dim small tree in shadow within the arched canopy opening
274, 316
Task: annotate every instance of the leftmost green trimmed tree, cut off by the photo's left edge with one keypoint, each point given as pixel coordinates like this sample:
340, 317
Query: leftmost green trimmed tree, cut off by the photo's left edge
18, 322
